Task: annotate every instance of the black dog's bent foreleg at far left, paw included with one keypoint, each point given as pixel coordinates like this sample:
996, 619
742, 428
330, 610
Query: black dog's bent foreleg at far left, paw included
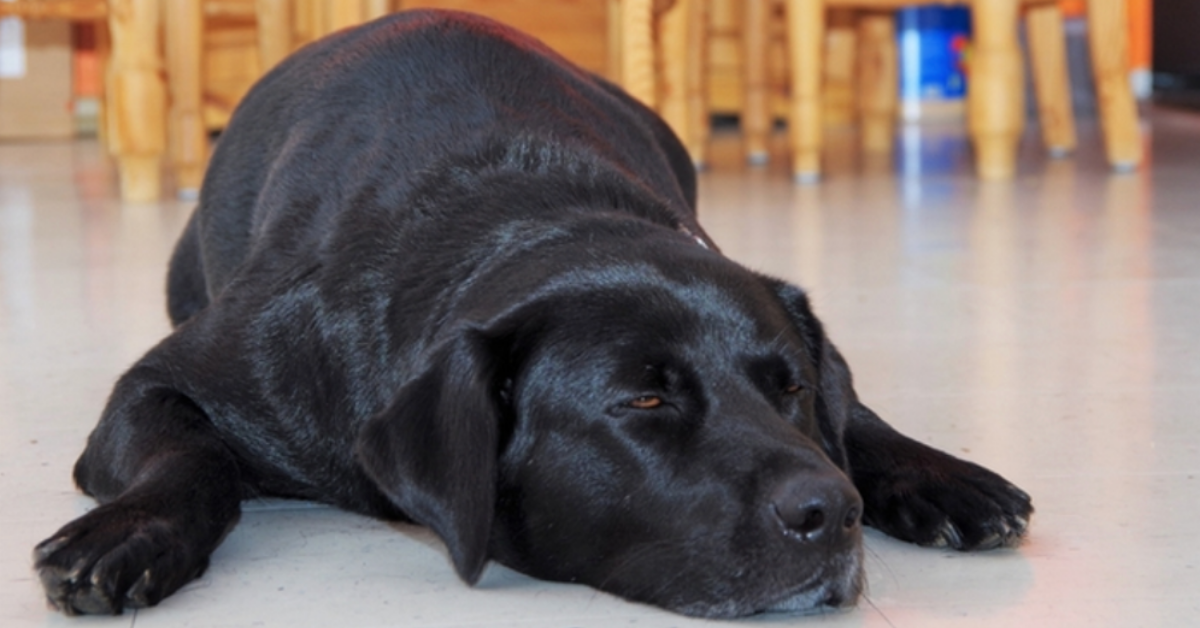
170, 492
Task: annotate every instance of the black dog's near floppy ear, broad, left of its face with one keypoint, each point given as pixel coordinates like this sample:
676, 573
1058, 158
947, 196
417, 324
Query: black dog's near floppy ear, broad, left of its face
434, 450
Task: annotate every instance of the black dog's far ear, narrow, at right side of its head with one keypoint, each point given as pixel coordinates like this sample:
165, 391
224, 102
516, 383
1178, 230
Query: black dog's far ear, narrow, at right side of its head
836, 390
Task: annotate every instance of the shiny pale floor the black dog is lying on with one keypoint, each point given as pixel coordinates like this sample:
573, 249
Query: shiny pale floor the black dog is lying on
1047, 328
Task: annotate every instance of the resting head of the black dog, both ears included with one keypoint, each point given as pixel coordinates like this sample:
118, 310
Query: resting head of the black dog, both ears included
650, 420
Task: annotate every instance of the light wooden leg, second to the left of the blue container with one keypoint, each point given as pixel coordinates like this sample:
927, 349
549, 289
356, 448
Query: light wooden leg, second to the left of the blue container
806, 45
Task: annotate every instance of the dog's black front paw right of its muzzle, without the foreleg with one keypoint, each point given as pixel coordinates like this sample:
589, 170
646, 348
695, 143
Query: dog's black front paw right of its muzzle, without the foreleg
938, 500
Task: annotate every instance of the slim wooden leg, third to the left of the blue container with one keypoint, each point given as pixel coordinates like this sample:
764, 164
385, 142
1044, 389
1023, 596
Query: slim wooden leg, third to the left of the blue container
757, 107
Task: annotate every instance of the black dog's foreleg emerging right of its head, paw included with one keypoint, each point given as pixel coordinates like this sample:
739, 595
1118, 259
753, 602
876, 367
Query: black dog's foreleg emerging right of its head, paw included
919, 494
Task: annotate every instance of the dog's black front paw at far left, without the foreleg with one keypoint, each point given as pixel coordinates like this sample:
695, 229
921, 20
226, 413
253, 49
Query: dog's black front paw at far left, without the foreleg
116, 557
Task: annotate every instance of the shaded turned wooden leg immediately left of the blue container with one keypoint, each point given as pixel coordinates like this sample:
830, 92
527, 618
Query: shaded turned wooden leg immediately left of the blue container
879, 81
